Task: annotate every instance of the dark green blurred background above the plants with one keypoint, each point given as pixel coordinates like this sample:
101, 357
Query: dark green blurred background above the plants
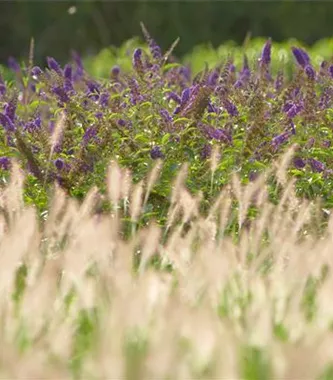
97, 24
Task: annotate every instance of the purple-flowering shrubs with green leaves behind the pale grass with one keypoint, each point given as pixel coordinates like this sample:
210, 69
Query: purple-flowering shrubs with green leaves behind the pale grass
65, 125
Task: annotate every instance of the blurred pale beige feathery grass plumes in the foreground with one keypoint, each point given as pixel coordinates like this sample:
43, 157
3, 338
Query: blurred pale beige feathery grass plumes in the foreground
87, 299
